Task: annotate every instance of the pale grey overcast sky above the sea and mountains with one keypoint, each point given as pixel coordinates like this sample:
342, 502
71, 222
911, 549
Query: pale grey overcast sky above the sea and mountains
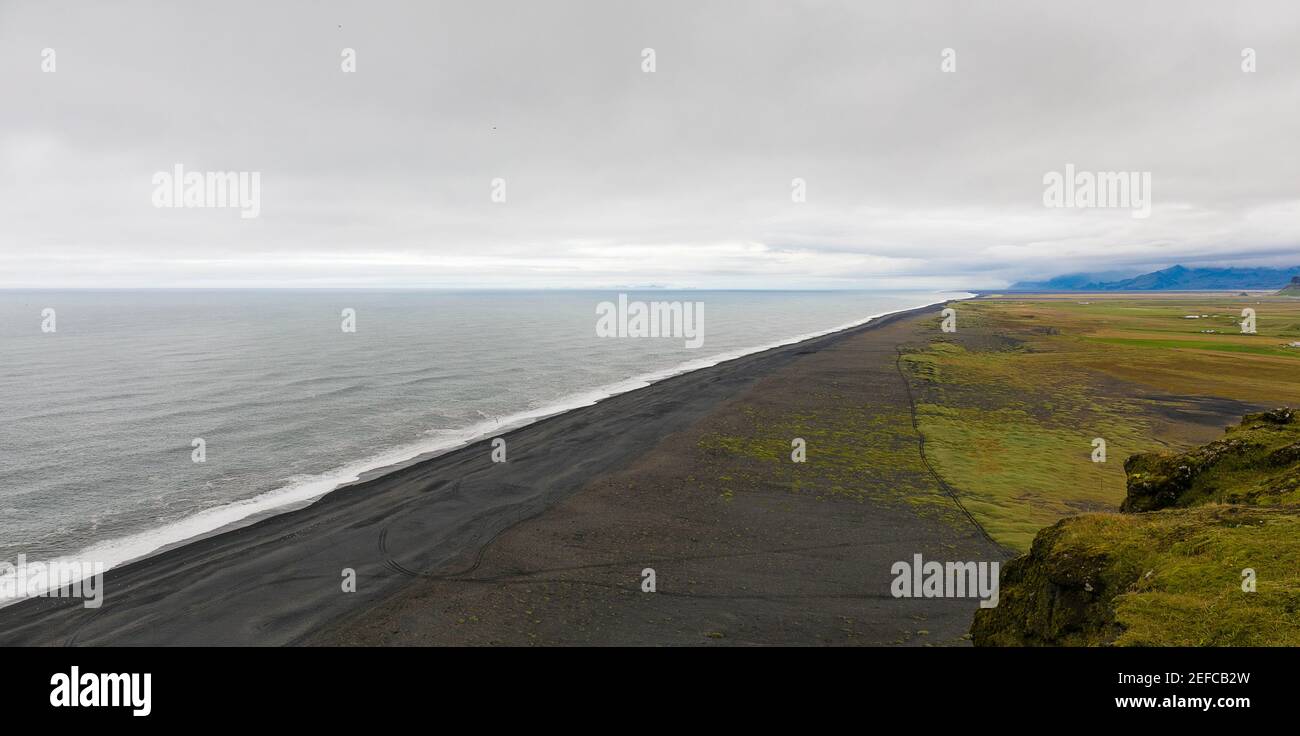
614, 176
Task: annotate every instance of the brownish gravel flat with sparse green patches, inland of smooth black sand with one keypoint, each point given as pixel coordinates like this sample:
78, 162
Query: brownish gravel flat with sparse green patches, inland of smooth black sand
746, 544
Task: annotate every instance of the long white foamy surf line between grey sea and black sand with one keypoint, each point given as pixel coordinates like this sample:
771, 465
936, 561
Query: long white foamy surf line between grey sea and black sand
293, 496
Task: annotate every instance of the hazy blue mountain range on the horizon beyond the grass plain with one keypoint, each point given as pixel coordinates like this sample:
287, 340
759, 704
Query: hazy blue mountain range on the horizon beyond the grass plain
1173, 279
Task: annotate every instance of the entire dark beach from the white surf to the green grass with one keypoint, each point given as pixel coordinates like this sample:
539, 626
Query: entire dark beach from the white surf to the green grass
549, 547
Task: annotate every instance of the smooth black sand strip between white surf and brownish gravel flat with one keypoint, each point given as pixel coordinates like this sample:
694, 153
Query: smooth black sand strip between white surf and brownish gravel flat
220, 560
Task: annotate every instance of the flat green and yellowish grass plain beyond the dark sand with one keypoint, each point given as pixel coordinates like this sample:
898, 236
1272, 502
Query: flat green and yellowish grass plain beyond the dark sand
1011, 405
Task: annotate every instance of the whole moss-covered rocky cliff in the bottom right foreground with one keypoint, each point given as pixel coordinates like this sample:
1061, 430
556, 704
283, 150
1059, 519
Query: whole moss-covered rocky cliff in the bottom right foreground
1207, 553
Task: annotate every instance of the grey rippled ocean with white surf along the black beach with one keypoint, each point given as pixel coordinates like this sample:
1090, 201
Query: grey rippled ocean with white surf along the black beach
103, 400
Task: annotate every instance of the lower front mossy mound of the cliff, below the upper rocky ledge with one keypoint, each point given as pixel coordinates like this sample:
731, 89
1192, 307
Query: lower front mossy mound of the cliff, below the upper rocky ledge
1160, 579
